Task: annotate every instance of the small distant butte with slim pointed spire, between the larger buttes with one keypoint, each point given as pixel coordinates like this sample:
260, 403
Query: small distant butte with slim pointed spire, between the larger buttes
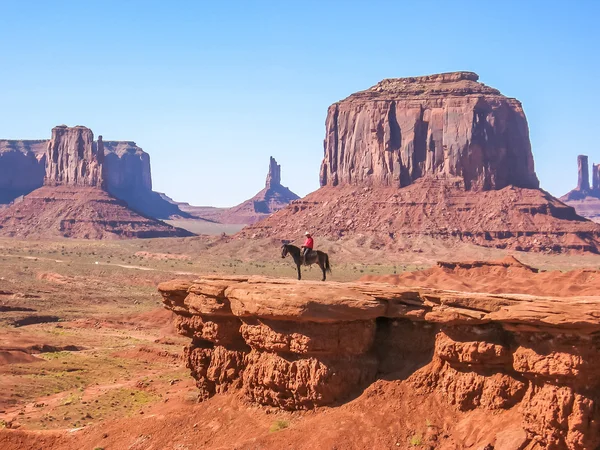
269, 200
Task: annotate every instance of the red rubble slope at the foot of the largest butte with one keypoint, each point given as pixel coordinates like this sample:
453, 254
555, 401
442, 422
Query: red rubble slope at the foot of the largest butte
514, 218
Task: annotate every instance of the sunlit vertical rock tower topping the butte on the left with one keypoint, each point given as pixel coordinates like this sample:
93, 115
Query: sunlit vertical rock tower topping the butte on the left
73, 158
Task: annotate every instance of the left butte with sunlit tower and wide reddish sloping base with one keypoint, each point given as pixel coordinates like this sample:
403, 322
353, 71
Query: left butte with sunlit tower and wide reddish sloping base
73, 201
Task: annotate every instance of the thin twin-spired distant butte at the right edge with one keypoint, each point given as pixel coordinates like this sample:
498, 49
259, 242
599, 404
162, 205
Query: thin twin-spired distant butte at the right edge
585, 198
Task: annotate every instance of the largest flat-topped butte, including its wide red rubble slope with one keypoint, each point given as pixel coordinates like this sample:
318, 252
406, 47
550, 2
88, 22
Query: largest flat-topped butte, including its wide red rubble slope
441, 156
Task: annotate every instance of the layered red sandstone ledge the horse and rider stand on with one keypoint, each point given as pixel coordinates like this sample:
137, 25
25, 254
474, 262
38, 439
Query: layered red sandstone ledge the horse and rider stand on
297, 345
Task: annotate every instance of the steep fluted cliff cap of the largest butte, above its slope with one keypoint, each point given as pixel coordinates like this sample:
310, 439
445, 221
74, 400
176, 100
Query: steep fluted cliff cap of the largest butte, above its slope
442, 125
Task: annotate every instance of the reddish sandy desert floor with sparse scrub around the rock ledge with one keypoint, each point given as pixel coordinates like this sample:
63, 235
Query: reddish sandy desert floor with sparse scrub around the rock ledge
89, 359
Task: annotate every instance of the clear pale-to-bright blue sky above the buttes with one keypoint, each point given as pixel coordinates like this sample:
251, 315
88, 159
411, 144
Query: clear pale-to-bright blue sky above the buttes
211, 89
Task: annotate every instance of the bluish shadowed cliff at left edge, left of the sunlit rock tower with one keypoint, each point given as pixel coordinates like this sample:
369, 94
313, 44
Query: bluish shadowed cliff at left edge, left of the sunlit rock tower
22, 167
